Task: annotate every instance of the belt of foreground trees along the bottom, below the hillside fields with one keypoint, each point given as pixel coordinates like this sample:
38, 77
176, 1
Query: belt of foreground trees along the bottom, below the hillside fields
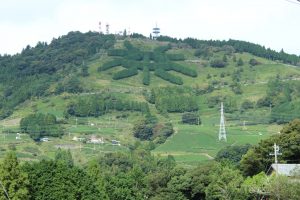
139, 175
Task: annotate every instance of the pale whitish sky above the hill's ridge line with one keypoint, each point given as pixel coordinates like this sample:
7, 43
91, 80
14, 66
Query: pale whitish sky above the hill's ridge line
272, 23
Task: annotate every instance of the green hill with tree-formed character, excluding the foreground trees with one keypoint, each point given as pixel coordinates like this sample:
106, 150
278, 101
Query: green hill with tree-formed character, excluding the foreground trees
114, 88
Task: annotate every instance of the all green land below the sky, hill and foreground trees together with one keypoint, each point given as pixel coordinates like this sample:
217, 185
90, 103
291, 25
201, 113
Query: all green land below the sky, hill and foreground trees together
96, 116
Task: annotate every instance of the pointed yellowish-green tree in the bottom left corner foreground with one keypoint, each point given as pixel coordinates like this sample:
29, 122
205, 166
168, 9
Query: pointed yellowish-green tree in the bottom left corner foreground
14, 182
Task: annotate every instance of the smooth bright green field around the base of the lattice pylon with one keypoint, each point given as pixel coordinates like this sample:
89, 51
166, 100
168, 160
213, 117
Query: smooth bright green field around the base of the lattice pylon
194, 144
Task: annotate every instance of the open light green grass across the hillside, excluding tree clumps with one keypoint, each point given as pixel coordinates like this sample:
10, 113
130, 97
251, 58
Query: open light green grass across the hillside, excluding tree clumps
189, 145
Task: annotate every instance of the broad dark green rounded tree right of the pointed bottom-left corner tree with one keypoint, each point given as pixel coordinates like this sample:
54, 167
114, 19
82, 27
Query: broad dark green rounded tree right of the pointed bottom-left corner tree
56, 180
